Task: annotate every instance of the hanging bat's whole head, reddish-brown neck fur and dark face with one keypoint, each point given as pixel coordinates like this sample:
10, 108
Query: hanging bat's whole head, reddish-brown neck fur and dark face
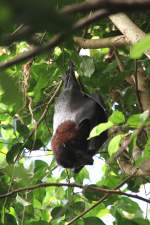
70, 145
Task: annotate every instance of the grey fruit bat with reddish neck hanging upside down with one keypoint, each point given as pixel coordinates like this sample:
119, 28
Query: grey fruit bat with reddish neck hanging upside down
76, 113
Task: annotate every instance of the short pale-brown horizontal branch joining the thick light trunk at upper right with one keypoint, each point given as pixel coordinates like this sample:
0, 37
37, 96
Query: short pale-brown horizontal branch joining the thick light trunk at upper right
101, 43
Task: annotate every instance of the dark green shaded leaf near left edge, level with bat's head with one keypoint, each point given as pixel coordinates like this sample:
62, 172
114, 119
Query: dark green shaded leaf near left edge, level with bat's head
15, 150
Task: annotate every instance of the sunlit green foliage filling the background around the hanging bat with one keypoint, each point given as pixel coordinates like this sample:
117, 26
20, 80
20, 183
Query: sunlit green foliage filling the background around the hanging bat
26, 90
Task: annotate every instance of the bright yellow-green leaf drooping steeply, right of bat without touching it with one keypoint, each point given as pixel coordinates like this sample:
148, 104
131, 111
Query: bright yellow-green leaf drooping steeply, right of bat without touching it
114, 144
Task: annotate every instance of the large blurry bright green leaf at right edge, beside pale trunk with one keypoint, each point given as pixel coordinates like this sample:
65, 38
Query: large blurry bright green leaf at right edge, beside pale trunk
140, 47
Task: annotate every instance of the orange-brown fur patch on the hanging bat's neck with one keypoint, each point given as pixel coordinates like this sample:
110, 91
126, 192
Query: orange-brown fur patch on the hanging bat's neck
65, 132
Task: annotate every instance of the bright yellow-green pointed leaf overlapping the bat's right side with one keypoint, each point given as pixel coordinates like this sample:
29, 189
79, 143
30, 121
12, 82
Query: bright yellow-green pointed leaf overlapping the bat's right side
100, 128
